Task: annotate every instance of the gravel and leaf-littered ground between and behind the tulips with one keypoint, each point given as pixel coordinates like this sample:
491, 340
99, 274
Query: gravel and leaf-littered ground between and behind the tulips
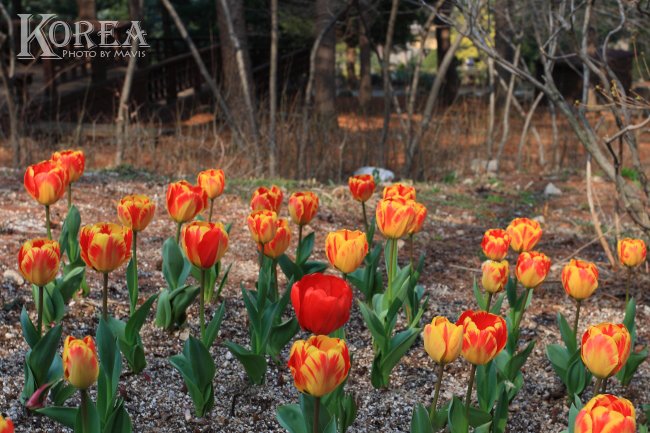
157, 400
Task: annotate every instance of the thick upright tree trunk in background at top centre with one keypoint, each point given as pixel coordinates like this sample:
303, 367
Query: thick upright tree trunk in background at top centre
325, 64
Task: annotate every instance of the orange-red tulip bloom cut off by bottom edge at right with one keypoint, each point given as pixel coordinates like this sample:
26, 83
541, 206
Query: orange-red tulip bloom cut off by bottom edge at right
606, 413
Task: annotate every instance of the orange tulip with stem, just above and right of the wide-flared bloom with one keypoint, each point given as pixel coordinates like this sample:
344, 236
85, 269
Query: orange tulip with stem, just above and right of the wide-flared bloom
135, 212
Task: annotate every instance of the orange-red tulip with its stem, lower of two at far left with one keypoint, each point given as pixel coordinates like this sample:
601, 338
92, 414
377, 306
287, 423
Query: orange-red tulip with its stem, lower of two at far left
38, 262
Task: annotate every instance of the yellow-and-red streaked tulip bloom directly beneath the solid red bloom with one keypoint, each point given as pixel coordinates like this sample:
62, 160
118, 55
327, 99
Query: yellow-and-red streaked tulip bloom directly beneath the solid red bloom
319, 365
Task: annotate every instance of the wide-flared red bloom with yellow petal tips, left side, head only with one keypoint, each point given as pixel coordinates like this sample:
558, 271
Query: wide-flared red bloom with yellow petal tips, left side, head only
105, 246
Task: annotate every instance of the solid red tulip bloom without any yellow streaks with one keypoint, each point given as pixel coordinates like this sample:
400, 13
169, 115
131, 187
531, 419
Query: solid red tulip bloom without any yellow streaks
322, 302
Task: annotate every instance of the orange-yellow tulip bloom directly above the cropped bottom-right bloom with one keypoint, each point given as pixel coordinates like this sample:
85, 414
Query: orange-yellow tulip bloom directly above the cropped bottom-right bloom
605, 349
